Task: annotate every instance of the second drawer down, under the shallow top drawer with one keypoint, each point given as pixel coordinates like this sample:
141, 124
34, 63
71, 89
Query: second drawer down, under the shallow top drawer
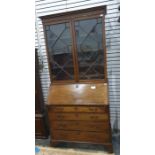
78, 116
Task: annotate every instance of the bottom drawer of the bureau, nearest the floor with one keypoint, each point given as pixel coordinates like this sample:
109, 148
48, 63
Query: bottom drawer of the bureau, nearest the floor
96, 137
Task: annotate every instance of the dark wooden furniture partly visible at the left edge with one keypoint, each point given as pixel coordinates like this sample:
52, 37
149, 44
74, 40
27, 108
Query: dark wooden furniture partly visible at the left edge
40, 116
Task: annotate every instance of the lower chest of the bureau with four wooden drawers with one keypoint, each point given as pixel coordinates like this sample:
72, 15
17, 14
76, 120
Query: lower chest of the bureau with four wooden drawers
87, 124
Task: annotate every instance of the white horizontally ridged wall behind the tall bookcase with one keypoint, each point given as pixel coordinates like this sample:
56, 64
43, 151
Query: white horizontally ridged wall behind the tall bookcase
47, 7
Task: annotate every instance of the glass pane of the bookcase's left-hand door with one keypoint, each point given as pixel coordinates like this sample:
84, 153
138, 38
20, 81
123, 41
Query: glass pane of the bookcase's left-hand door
59, 48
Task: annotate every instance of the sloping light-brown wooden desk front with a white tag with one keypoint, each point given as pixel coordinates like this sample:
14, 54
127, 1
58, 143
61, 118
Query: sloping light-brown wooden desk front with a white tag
78, 94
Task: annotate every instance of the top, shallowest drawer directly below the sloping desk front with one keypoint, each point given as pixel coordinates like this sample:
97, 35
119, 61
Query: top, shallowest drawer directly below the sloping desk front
99, 109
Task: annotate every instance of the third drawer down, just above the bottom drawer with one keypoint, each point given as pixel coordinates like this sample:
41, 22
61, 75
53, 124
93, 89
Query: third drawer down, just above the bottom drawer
80, 125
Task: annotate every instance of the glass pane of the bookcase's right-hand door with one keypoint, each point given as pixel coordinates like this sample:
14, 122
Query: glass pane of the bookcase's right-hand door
90, 48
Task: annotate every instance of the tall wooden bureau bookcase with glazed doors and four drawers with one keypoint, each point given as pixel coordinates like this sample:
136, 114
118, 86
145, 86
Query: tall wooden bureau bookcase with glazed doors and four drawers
78, 107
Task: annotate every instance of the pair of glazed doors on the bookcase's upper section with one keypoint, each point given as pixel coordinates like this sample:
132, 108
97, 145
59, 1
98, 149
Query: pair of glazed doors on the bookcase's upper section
76, 49
